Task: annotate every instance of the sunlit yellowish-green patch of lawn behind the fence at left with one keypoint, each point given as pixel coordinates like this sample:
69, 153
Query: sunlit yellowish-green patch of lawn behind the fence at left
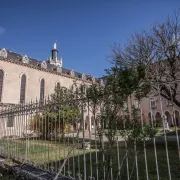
39, 151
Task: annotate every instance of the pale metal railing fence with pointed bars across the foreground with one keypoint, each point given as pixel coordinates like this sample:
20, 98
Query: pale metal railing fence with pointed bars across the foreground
68, 138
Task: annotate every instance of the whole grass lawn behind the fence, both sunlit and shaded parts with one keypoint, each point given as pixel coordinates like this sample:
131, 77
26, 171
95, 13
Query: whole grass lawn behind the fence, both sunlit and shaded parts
51, 154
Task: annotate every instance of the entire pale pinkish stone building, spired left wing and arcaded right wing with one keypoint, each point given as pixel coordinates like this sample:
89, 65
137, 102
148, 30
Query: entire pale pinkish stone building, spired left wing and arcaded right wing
24, 79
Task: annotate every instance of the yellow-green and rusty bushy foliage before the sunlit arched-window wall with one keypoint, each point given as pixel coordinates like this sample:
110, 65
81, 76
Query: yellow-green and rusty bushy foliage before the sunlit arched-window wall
61, 111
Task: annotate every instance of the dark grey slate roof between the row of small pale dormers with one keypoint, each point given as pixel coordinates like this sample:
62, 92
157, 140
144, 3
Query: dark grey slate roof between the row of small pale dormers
17, 57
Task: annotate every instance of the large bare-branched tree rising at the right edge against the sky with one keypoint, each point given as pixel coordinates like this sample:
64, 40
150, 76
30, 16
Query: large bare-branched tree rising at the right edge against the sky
155, 55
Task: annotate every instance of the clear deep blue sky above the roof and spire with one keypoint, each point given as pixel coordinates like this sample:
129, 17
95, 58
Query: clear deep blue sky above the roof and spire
83, 29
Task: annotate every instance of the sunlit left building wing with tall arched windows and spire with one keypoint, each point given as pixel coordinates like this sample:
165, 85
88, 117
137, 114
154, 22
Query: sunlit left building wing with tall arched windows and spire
24, 79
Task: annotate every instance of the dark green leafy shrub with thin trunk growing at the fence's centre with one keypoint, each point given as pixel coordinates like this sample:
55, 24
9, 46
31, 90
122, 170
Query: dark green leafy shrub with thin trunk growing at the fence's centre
122, 83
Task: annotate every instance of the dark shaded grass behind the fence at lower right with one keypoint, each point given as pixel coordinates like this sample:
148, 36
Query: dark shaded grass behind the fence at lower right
151, 163
